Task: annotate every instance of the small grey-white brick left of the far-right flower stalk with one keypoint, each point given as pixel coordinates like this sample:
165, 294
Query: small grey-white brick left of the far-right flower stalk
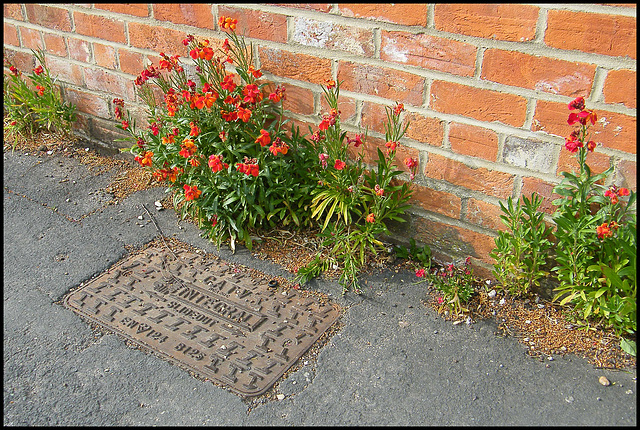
529, 153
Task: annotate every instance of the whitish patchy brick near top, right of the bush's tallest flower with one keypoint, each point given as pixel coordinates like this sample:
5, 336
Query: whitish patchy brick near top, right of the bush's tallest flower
329, 35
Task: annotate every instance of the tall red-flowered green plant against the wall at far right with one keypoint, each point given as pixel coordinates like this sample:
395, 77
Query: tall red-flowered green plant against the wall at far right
595, 238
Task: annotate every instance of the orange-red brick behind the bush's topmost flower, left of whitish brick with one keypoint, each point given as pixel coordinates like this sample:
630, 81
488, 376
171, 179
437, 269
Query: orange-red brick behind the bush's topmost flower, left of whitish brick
257, 24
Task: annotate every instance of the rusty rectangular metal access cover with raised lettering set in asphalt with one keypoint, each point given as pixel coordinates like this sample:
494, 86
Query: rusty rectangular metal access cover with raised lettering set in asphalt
206, 316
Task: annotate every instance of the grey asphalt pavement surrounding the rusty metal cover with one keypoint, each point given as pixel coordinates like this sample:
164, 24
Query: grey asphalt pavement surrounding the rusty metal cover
392, 362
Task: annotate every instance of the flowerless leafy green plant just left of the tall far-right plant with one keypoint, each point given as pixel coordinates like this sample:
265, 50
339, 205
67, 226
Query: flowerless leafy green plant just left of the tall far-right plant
520, 252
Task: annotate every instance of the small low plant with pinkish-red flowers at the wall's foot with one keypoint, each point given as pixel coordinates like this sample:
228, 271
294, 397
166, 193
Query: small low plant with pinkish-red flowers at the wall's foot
455, 284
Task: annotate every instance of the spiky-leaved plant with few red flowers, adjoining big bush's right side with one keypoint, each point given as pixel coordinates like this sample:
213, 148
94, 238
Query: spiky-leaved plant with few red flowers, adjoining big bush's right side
353, 203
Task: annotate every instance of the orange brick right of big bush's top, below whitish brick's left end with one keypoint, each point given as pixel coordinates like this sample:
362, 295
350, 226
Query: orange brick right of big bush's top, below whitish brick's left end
291, 65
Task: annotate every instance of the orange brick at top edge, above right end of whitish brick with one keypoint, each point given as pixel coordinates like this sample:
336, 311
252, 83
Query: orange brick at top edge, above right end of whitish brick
399, 13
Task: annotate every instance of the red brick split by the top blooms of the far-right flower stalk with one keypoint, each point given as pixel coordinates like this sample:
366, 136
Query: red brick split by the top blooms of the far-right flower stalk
615, 131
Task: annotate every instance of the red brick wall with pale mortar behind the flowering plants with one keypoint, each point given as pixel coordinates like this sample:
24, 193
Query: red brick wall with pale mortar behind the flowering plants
485, 86
